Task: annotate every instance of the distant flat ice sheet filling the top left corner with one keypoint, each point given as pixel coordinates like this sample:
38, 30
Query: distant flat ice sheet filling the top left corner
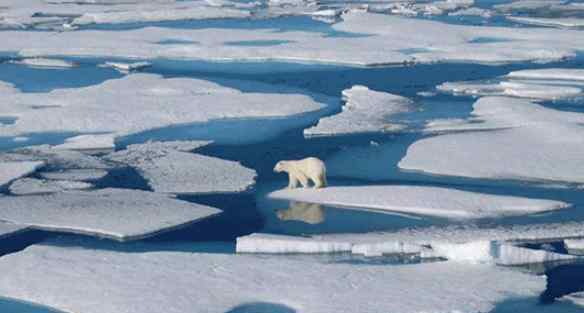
53, 15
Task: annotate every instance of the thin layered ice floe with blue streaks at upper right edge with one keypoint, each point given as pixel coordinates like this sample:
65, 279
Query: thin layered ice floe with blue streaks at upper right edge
546, 84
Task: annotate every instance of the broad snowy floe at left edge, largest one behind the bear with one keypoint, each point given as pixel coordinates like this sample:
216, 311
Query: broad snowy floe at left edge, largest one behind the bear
140, 102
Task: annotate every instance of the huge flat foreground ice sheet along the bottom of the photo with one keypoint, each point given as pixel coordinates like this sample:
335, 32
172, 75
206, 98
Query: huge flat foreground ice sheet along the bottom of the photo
93, 281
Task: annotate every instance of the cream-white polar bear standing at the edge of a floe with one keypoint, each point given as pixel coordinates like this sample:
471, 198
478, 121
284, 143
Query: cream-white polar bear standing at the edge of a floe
303, 171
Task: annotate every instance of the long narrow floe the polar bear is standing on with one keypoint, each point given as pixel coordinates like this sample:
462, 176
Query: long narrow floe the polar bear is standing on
432, 201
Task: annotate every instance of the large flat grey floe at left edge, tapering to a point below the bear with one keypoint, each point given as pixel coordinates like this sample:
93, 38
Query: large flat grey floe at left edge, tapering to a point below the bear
120, 214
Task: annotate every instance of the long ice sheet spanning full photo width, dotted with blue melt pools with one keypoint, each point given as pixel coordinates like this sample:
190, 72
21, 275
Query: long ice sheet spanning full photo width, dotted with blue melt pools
389, 37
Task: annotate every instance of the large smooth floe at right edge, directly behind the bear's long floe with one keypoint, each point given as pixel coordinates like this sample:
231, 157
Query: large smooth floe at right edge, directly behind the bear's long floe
531, 142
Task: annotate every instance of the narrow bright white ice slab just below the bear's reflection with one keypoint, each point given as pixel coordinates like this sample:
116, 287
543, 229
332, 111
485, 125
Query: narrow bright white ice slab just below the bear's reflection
266, 243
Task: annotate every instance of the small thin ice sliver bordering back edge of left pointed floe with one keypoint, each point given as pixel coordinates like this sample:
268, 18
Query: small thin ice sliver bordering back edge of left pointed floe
28, 186
